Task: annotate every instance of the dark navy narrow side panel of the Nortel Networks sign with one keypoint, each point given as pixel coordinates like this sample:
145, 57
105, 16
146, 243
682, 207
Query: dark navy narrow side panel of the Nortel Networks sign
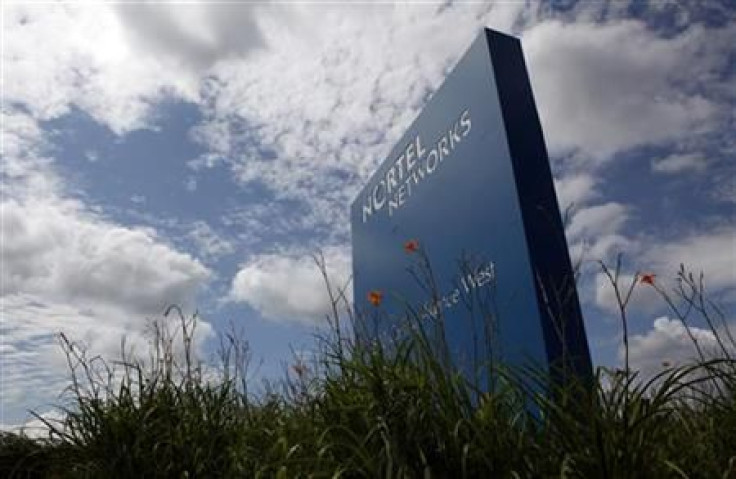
559, 306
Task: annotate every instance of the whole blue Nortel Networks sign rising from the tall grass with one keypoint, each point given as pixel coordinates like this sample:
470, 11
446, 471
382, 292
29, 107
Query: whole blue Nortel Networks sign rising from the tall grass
468, 192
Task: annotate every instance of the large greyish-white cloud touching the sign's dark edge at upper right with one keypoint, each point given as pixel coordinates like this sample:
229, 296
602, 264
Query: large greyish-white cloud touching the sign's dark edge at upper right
606, 88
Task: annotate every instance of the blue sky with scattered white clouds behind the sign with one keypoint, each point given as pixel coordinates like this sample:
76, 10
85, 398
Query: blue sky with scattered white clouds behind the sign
198, 154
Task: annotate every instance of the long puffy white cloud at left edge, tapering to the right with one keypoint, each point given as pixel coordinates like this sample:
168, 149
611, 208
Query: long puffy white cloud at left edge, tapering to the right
58, 250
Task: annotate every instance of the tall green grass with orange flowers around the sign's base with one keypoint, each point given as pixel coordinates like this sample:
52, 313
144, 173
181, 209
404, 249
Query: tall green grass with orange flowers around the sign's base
393, 409
